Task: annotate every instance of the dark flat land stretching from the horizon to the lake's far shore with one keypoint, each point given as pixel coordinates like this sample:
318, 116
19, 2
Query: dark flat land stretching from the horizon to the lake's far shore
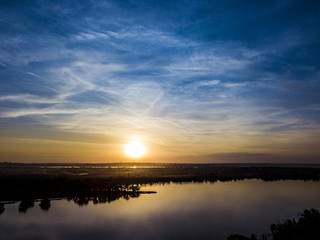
40, 181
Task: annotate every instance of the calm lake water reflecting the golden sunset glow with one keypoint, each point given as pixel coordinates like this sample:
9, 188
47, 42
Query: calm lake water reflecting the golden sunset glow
176, 211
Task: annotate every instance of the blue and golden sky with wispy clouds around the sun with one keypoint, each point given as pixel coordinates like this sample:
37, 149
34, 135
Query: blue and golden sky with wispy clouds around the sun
194, 81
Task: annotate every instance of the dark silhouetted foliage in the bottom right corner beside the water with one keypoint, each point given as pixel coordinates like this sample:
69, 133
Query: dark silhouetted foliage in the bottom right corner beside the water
306, 227
